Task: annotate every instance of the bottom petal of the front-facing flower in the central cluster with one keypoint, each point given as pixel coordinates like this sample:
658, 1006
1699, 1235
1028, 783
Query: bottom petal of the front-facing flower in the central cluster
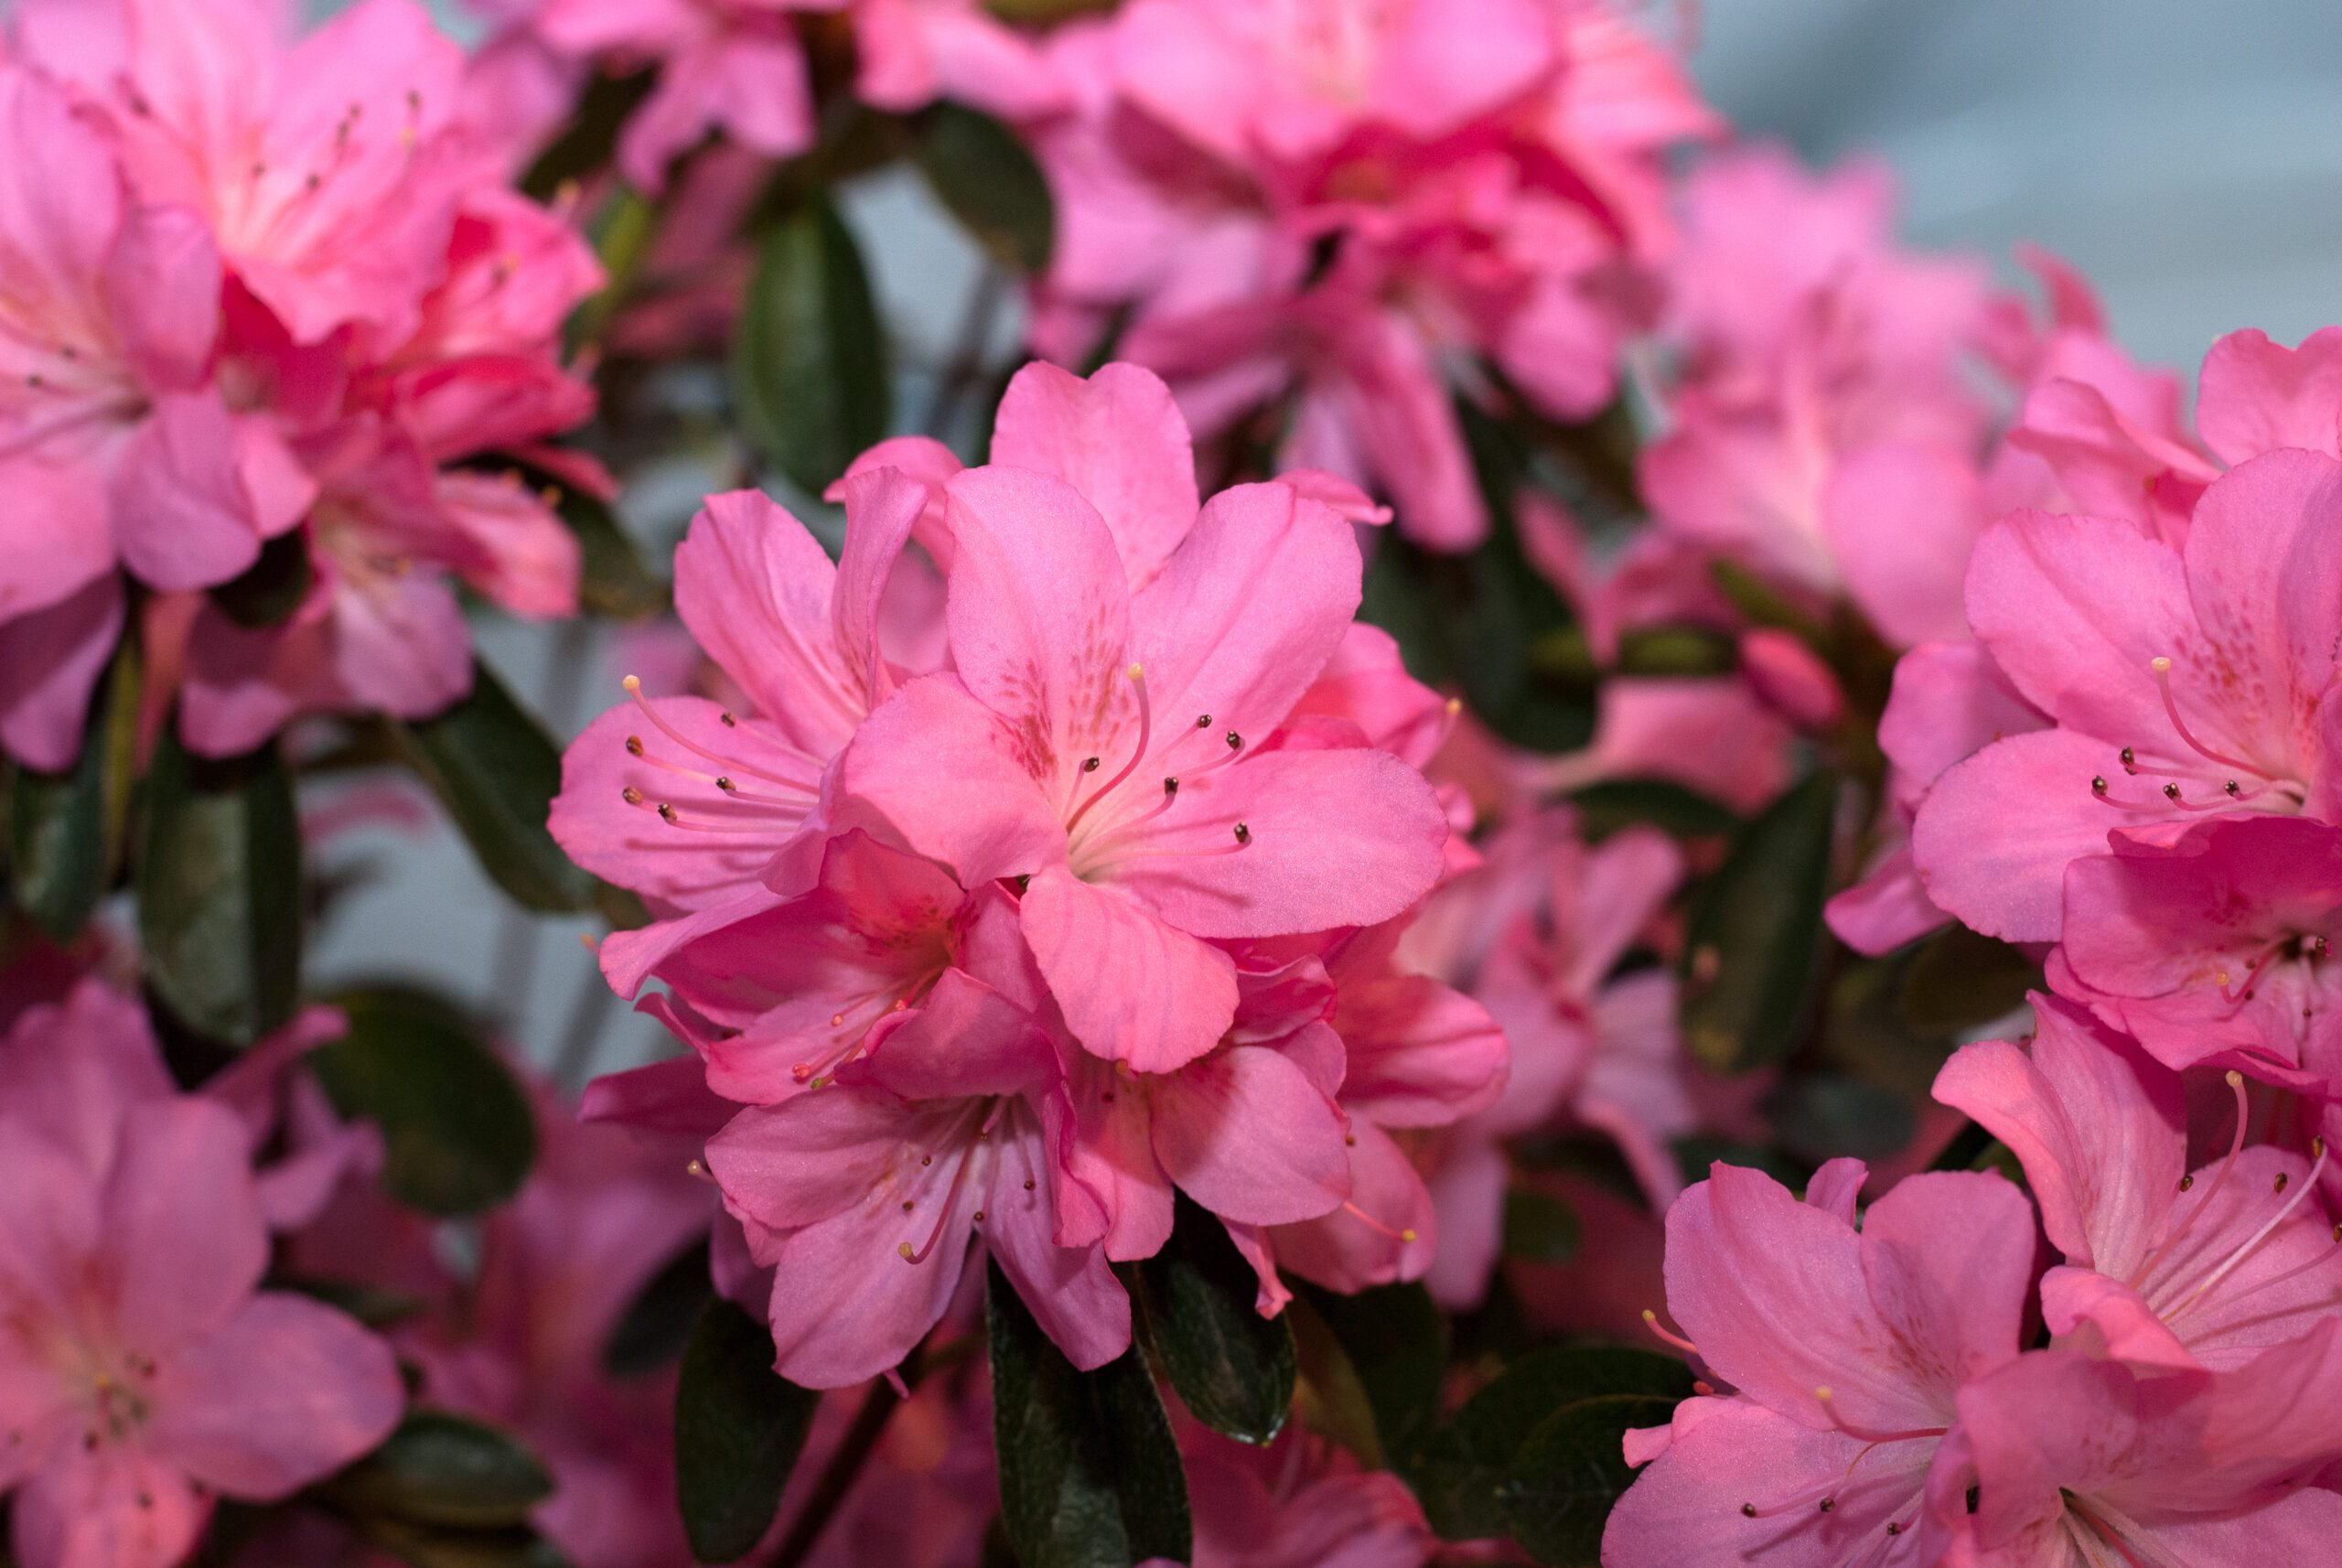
1132, 986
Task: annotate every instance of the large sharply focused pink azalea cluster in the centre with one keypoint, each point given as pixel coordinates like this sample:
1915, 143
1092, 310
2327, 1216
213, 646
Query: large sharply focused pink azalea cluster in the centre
1020, 930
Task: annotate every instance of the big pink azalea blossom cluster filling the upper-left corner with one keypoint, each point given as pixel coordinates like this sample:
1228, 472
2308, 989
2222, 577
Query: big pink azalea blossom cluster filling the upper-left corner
271, 310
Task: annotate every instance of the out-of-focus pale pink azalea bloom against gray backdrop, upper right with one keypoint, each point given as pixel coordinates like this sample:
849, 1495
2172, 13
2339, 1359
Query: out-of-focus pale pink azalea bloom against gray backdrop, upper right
1823, 434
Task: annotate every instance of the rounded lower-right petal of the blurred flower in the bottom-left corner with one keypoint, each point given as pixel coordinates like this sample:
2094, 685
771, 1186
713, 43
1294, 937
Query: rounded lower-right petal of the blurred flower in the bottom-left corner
282, 1396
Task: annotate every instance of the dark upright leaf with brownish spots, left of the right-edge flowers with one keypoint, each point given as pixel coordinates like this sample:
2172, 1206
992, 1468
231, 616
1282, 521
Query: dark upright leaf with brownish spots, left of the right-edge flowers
1755, 947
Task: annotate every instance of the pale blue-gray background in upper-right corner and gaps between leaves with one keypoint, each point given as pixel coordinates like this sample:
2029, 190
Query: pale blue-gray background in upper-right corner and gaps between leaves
2184, 153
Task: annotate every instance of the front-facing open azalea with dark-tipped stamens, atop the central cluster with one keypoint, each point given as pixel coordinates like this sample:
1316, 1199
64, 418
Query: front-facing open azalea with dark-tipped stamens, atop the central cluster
1116, 748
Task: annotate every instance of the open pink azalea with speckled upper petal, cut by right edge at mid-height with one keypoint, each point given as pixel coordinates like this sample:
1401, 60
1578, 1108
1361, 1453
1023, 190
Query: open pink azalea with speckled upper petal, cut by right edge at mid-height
2177, 682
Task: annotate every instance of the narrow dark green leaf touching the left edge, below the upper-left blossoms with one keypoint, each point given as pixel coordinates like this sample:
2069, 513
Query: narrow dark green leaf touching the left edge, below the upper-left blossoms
67, 827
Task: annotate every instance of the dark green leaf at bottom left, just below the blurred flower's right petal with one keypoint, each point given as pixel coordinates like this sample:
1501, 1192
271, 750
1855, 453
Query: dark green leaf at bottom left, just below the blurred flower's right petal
448, 1471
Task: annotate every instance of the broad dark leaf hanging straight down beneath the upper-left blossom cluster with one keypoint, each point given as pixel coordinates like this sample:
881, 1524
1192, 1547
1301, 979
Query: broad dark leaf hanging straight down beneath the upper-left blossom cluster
219, 890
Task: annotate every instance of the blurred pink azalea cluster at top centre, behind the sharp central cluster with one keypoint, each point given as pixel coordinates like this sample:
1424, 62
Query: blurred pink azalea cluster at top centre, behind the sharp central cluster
1324, 221
